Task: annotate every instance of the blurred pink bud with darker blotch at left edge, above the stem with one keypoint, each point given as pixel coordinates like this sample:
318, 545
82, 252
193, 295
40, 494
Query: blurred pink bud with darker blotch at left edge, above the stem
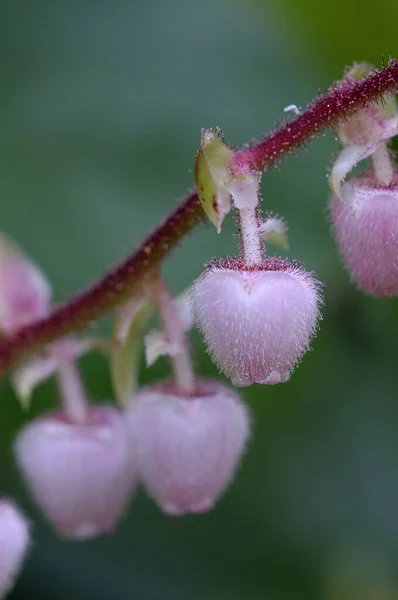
25, 294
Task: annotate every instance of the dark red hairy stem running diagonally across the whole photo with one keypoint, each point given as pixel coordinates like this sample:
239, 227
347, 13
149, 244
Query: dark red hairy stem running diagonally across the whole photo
124, 281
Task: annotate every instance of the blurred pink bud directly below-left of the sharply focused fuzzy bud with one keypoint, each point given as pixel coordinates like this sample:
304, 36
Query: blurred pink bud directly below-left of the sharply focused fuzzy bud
187, 448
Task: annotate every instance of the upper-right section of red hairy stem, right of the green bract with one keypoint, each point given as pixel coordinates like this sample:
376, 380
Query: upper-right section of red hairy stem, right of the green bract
341, 102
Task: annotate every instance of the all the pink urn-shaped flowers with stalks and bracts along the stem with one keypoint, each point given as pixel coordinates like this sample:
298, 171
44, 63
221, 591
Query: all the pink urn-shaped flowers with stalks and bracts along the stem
183, 438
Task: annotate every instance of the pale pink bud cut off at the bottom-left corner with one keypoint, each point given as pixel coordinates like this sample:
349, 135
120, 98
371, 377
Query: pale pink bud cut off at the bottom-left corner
14, 542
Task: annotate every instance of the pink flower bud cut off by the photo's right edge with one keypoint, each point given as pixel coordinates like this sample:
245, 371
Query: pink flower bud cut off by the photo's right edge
365, 222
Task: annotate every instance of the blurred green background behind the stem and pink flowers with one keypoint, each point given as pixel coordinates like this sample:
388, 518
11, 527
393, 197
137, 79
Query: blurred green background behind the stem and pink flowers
101, 106
